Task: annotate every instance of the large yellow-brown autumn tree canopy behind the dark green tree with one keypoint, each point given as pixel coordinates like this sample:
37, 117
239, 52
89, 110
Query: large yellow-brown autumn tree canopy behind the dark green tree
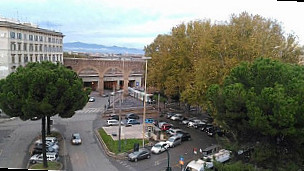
197, 54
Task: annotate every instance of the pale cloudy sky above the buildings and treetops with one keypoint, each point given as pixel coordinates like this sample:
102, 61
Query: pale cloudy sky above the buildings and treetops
136, 23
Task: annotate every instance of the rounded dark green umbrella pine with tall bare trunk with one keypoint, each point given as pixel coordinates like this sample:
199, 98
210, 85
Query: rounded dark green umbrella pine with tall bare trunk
42, 90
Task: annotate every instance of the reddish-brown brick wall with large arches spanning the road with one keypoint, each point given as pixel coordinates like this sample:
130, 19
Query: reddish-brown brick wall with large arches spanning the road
107, 70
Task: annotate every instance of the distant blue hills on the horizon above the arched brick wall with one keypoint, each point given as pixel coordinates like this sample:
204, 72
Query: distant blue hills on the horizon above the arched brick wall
95, 48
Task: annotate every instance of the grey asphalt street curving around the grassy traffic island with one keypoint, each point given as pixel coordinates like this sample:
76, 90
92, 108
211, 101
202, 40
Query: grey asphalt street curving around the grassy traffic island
17, 136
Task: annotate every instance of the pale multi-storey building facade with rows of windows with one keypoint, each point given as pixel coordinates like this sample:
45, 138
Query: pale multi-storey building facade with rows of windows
21, 43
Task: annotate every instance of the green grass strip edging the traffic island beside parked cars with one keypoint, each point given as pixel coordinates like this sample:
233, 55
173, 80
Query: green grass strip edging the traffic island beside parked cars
126, 144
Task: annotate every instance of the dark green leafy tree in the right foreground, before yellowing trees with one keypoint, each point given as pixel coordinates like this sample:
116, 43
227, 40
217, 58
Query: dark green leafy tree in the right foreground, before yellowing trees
263, 102
